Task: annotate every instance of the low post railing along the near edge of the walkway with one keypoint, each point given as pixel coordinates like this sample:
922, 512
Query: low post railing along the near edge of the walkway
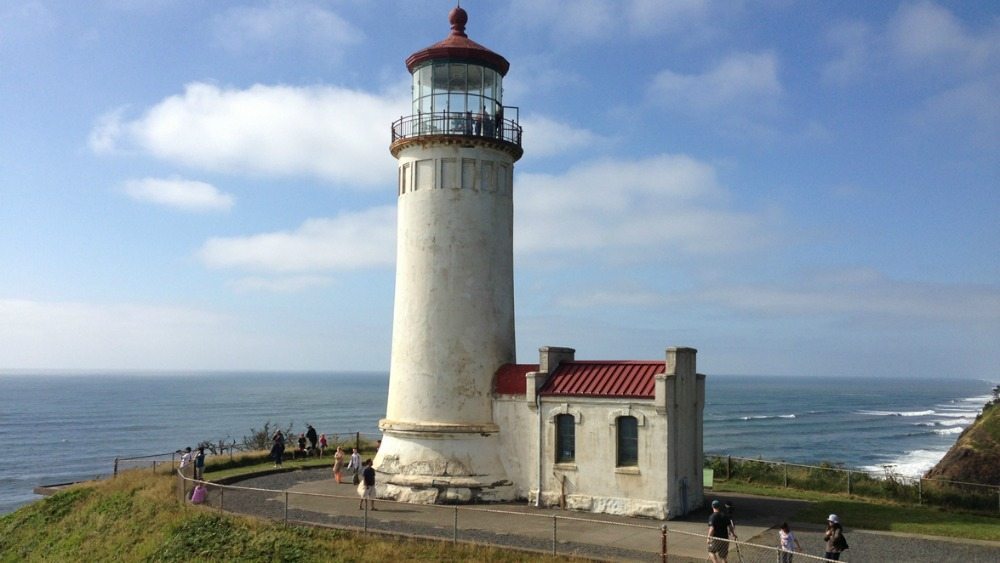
531, 531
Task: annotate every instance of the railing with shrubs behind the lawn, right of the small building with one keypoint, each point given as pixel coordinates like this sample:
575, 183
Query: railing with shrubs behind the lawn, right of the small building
885, 484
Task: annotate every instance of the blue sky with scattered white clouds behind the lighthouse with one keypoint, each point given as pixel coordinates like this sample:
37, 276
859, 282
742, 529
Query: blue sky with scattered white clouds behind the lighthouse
798, 188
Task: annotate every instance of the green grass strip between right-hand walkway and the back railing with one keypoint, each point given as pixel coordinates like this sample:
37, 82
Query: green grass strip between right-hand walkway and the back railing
869, 514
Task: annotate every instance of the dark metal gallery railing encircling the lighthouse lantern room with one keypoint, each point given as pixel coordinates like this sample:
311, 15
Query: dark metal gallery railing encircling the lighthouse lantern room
457, 123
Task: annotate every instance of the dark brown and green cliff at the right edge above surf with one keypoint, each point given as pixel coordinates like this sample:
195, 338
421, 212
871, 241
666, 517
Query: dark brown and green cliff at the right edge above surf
975, 457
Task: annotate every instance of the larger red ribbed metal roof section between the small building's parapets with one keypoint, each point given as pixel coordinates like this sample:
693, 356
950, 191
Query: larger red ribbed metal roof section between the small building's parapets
604, 379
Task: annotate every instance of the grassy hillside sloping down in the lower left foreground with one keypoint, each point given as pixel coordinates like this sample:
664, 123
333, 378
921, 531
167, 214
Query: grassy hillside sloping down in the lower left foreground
136, 518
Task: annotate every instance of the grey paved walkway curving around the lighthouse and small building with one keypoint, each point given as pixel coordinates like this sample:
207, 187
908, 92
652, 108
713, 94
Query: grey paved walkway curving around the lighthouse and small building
315, 498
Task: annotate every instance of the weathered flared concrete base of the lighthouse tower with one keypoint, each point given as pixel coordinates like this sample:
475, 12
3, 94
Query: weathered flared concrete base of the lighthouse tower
442, 467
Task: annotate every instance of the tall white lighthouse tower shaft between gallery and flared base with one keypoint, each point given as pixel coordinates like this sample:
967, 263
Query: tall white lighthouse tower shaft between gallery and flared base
453, 320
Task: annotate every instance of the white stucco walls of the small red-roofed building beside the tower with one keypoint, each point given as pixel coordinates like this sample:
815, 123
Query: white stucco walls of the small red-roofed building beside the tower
665, 483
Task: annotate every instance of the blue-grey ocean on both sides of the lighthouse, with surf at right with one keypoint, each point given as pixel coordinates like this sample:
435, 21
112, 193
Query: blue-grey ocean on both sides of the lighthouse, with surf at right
61, 427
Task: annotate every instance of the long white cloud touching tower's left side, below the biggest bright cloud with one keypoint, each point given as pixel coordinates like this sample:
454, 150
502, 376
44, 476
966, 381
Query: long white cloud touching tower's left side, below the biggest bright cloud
350, 241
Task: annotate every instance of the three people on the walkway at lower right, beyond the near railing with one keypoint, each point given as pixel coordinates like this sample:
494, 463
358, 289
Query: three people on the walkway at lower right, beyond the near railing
721, 529
